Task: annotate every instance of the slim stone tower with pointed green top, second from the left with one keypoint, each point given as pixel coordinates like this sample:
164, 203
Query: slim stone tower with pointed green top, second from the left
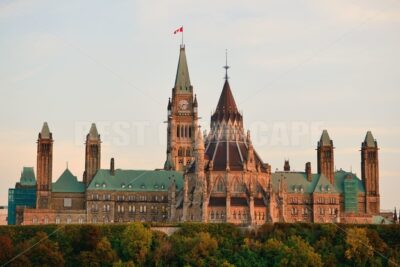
92, 154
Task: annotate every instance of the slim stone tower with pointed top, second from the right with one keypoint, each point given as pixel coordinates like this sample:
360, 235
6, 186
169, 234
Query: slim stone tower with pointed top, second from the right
325, 157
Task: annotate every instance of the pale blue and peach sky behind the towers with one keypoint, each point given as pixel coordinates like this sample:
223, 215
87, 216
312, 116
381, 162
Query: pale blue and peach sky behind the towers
297, 67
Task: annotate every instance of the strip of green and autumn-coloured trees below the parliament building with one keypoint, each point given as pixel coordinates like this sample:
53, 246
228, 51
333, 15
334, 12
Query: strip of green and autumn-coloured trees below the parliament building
200, 245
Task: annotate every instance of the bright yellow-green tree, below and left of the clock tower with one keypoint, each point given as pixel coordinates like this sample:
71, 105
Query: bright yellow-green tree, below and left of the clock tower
136, 242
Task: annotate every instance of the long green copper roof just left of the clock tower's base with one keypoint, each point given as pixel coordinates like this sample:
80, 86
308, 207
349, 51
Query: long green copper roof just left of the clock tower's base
135, 180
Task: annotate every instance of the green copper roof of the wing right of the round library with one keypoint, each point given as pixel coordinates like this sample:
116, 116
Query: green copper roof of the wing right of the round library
296, 181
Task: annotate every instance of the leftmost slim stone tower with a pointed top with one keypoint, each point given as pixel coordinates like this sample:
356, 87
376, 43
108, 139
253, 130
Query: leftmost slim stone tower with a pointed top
44, 167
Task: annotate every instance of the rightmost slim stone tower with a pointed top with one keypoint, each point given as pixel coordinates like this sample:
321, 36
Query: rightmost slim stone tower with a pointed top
370, 173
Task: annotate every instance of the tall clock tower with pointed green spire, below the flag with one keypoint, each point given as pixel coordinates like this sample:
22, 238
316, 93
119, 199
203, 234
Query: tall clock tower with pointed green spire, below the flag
182, 119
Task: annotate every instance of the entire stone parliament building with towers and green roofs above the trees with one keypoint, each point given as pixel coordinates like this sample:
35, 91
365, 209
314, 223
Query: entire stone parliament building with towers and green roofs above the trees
207, 177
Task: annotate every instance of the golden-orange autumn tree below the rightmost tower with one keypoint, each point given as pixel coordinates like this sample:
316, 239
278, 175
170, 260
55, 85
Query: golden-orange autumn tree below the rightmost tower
359, 249
